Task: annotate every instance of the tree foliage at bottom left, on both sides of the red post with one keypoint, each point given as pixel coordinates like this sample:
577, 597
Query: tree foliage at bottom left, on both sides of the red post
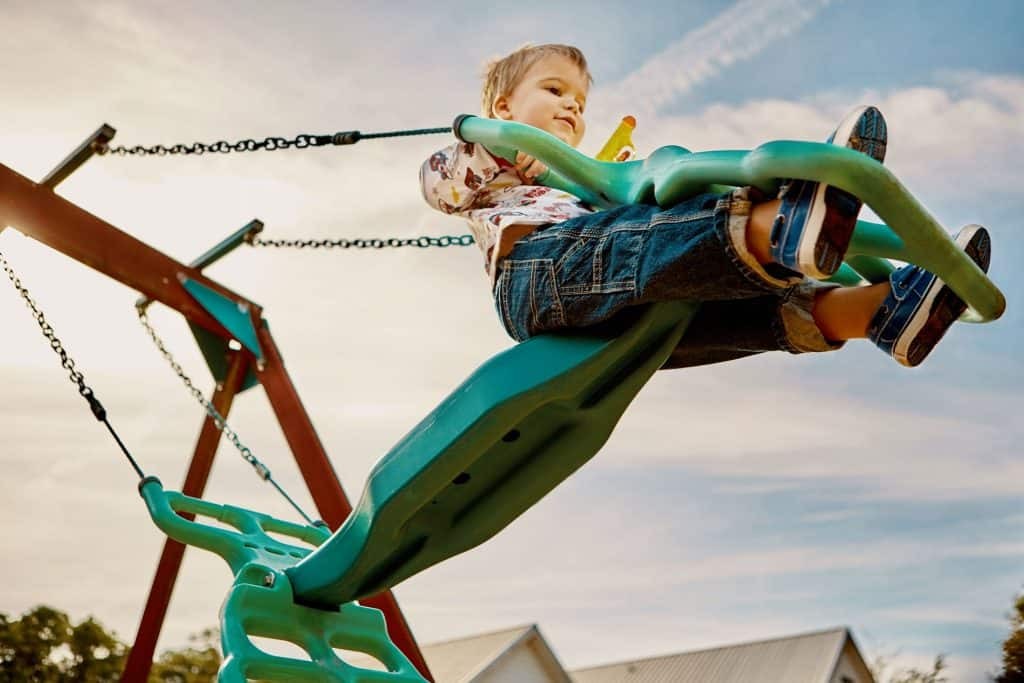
44, 647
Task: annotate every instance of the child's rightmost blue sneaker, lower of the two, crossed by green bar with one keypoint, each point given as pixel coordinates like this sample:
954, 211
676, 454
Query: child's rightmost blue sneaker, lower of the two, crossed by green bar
920, 310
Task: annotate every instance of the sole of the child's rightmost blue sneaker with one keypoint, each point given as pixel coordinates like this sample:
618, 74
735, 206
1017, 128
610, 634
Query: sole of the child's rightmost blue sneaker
944, 307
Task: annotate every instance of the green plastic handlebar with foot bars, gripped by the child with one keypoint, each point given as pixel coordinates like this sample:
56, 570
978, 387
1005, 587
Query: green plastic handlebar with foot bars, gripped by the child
673, 174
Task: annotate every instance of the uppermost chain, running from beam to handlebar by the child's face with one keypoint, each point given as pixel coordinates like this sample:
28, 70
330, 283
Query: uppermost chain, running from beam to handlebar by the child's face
270, 144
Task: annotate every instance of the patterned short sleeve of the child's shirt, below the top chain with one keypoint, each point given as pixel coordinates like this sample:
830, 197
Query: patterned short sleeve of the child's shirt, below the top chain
455, 178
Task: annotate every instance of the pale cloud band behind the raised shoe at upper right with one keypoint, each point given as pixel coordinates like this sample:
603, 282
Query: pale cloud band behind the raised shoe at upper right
964, 135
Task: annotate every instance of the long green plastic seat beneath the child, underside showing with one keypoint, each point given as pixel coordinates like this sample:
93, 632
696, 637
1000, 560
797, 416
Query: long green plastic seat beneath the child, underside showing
522, 424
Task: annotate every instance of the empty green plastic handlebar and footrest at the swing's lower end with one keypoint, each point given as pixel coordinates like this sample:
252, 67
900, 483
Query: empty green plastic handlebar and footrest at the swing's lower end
261, 604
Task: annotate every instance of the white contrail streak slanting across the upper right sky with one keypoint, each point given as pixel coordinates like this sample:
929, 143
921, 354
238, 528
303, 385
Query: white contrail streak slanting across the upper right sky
738, 34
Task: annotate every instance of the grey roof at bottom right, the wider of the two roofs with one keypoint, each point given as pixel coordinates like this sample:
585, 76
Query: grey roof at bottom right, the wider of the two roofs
807, 658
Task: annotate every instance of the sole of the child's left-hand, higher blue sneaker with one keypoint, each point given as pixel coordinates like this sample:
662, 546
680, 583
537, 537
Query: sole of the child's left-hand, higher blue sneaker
865, 132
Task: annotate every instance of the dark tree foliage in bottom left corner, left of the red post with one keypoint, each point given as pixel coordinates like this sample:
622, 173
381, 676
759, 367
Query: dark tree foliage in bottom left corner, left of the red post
44, 646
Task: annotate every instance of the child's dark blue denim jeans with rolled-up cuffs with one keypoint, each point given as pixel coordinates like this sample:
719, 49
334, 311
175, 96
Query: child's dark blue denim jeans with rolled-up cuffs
587, 271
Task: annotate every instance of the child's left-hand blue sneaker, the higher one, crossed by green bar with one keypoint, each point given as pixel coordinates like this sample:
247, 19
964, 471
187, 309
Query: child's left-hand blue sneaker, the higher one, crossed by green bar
816, 222
